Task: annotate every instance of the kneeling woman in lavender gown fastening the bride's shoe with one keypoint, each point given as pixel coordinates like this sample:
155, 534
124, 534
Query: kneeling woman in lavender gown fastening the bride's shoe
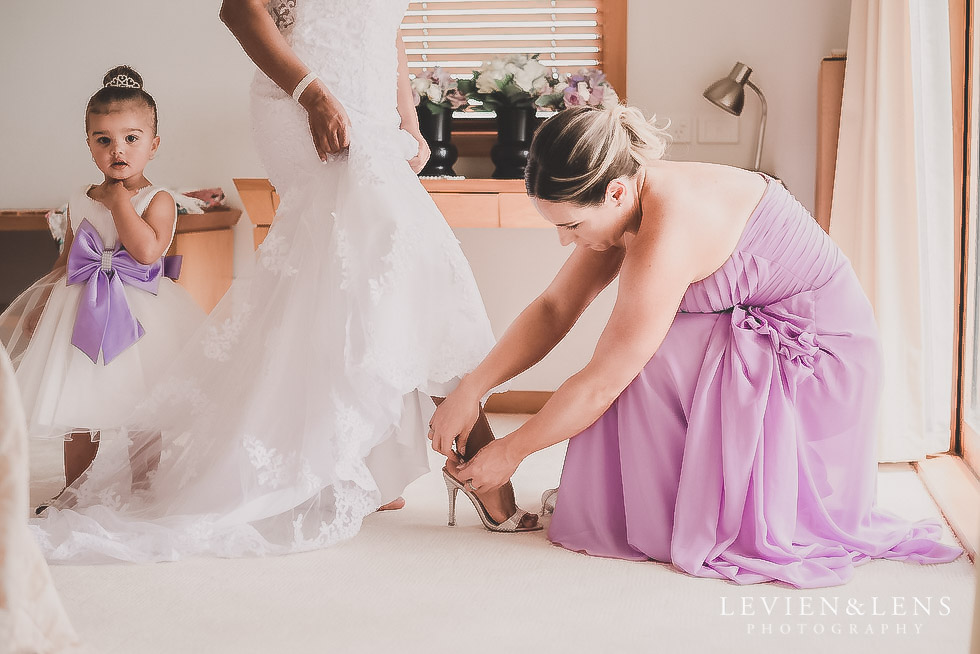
725, 423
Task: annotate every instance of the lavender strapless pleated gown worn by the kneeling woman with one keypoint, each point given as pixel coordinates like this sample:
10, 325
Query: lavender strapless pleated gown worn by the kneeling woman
745, 448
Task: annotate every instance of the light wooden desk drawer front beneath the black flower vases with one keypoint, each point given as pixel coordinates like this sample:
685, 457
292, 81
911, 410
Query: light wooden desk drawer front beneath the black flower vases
481, 203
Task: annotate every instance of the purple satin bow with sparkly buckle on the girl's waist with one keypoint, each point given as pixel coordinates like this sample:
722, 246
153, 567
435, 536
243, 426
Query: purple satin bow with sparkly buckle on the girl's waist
104, 321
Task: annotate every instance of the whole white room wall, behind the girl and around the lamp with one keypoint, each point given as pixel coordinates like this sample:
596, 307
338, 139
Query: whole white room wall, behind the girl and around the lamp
54, 54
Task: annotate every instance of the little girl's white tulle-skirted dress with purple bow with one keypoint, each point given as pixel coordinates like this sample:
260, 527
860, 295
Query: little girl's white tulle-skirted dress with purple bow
99, 345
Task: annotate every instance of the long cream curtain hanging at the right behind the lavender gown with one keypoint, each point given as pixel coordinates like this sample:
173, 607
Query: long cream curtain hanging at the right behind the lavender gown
892, 211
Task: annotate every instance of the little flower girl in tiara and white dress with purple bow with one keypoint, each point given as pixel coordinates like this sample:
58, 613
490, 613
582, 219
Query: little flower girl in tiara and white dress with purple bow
89, 338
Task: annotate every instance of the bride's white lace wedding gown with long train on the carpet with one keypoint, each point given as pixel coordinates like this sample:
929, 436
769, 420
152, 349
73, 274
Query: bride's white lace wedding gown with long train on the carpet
302, 403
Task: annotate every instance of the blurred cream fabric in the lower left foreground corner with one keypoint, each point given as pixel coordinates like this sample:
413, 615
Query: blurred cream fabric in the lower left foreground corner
32, 619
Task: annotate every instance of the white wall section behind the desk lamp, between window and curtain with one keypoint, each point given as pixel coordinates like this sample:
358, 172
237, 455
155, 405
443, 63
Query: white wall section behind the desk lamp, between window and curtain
676, 49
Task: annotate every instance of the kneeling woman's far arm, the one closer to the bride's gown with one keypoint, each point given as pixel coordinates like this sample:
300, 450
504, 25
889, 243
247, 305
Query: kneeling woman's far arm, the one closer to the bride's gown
534, 333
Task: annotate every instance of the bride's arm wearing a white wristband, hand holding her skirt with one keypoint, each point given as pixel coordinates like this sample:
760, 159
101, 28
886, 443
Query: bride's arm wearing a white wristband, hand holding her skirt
255, 29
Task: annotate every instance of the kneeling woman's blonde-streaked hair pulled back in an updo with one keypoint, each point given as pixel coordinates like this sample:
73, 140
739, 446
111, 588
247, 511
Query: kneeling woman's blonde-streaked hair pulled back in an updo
575, 154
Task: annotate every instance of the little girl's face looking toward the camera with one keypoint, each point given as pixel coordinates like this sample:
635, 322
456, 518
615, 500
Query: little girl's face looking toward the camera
122, 140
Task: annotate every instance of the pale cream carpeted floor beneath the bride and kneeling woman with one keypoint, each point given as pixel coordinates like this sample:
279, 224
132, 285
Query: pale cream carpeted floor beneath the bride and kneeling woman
408, 583
